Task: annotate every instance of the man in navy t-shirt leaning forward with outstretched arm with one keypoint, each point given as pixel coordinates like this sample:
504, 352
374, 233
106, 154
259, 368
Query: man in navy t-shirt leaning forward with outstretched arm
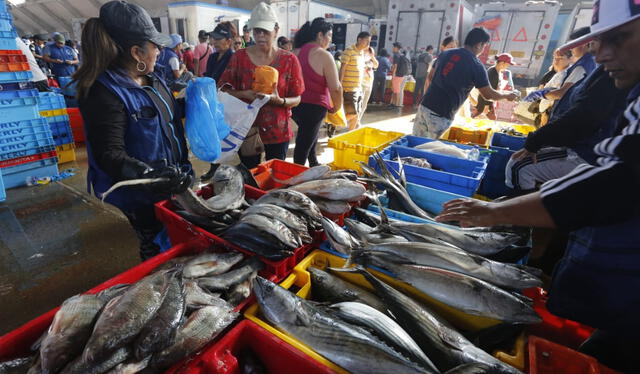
457, 71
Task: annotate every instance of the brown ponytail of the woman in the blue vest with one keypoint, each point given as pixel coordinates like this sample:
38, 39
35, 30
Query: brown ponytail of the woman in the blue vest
99, 51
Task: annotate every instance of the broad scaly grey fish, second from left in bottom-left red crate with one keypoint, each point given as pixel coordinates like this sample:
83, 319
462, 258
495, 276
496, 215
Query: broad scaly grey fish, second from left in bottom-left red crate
115, 328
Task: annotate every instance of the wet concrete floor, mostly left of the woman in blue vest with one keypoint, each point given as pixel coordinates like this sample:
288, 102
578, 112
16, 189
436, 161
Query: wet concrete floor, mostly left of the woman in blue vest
57, 240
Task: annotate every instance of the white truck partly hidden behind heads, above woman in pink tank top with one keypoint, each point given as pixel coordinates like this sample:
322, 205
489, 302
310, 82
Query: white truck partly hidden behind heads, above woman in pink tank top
292, 14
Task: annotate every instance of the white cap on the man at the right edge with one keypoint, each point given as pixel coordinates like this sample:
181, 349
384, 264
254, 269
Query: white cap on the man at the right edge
607, 15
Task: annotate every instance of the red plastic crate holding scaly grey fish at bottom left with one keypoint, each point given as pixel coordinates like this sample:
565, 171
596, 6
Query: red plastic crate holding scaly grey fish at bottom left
17, 342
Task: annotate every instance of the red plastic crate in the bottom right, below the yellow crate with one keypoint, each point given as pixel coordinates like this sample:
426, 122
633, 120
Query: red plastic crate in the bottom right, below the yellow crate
546, 357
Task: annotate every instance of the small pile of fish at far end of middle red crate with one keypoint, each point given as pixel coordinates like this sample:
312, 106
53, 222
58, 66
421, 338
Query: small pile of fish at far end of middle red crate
332, 191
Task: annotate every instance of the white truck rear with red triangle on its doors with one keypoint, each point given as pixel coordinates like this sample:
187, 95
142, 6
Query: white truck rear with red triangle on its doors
521, 29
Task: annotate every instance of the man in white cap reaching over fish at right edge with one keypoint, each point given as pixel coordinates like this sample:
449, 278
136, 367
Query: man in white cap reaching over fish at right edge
597, 281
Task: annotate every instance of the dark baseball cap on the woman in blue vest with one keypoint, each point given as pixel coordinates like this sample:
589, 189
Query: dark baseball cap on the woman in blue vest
127, 22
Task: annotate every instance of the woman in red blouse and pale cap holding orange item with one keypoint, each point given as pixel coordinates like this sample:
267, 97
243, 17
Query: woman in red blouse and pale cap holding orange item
272, 127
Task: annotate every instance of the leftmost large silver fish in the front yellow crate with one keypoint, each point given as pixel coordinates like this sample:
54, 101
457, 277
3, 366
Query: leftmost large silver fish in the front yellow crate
348, 346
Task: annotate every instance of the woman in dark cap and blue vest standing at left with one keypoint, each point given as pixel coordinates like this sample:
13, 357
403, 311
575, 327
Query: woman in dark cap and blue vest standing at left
132, 122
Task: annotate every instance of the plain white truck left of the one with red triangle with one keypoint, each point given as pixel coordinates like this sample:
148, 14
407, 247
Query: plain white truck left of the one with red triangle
419, 23
